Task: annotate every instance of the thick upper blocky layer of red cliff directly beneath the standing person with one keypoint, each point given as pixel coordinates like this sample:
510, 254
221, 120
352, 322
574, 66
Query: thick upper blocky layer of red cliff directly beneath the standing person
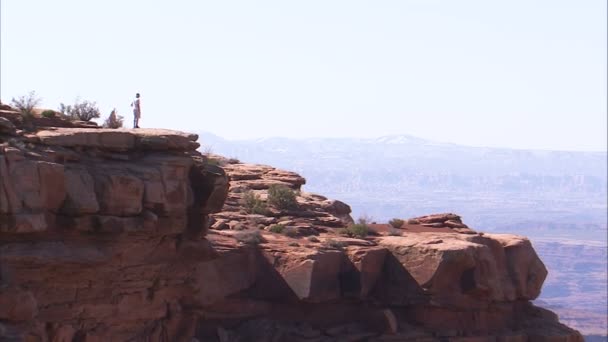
103, 180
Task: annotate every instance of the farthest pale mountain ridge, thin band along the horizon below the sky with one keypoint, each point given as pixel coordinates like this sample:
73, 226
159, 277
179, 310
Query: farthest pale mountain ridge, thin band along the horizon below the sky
401, 147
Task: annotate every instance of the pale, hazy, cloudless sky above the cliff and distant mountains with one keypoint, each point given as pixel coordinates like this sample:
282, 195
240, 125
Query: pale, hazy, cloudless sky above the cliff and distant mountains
511, 73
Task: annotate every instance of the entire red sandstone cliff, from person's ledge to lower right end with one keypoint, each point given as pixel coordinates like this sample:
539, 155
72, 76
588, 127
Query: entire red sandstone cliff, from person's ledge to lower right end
103, 237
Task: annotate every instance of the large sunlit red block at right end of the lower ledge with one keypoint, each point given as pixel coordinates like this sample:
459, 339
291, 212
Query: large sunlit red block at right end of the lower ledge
470, 270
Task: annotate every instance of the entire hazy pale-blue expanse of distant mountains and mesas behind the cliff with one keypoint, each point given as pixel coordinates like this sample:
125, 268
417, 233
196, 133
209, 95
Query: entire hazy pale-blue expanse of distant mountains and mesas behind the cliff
493, 187
